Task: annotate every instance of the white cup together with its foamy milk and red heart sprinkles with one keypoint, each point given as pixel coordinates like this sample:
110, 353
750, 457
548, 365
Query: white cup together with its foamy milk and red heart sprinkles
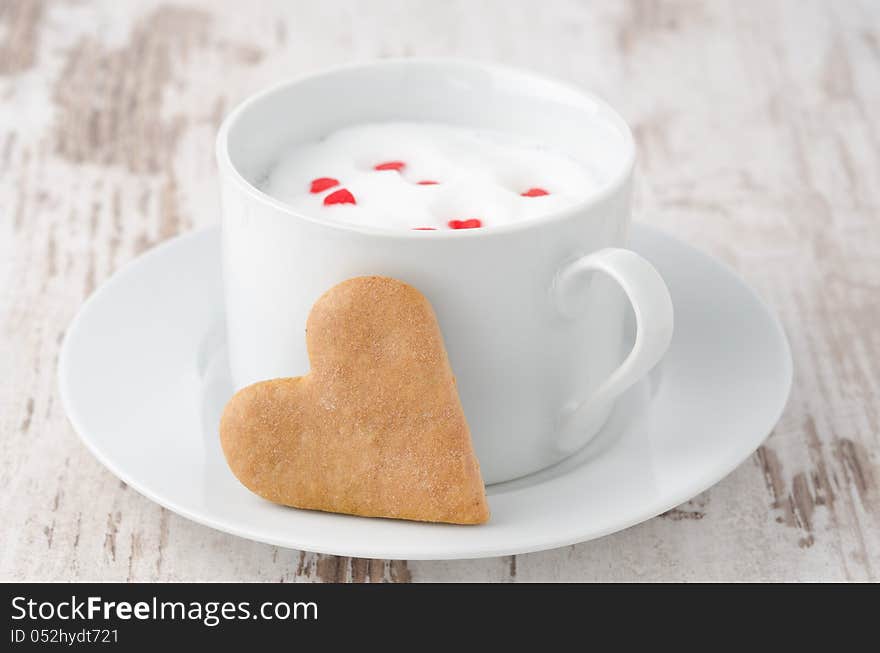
526, 264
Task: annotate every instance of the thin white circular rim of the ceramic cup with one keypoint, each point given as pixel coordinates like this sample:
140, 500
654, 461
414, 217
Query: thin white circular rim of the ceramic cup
609, 188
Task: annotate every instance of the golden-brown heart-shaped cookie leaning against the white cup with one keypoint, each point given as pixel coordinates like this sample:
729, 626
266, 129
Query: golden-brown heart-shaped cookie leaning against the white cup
375, 429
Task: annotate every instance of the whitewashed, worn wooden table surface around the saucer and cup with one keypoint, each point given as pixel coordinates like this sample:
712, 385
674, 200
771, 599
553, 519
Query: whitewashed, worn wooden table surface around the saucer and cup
759, 142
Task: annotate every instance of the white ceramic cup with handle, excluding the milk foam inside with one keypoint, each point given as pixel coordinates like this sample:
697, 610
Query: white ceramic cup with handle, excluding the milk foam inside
534, 337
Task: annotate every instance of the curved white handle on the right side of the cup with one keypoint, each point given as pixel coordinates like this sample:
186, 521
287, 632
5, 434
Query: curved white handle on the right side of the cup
652, 305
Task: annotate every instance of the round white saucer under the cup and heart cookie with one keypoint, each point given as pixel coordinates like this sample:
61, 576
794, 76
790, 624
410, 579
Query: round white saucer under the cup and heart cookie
143, 379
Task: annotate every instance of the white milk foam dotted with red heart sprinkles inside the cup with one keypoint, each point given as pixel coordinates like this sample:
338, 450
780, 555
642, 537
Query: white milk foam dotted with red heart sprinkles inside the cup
480, 174
